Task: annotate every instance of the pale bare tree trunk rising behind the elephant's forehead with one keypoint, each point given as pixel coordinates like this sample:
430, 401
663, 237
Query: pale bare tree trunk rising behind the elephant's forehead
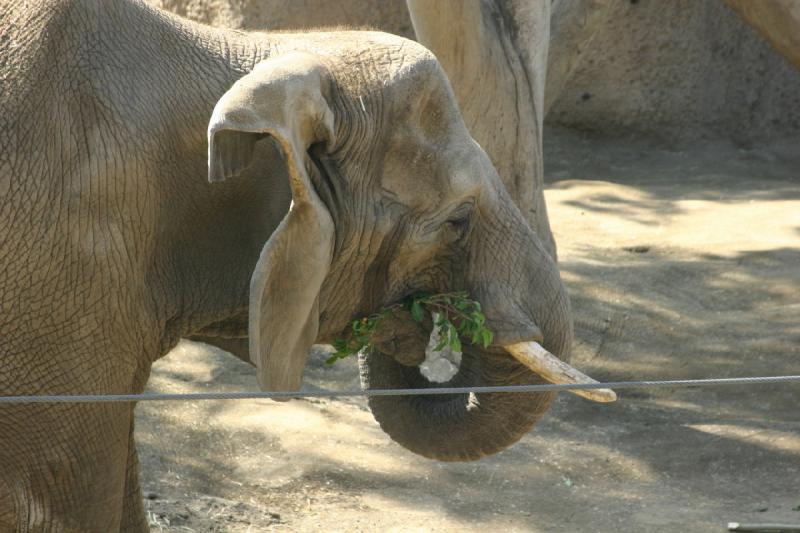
495, 54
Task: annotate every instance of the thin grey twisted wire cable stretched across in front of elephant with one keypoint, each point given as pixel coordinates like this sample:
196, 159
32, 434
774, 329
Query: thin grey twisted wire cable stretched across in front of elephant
256, 395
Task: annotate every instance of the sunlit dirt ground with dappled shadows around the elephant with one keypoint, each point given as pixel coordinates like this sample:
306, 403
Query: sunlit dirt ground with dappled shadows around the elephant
681, 262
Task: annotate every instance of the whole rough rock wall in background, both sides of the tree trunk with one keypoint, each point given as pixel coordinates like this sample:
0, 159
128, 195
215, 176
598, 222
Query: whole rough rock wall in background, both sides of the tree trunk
679, 69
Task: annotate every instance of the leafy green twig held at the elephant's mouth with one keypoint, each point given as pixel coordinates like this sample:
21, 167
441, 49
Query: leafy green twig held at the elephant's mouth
457, 316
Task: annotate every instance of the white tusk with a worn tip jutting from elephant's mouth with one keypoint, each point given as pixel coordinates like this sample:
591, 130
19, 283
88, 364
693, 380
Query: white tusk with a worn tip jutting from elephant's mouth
554, 370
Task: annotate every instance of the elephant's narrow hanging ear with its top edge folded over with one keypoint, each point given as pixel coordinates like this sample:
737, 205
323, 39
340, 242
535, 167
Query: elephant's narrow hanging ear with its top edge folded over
282, 98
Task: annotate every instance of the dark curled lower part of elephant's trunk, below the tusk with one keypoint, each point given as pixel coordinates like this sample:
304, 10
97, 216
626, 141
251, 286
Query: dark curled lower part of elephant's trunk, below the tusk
460, 427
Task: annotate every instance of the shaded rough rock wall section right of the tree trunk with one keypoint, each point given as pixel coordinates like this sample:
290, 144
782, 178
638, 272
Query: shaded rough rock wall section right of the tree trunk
680, 69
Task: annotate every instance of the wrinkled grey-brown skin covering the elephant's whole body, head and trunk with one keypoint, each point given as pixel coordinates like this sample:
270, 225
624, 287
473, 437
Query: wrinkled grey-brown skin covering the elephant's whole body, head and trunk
113, 244
